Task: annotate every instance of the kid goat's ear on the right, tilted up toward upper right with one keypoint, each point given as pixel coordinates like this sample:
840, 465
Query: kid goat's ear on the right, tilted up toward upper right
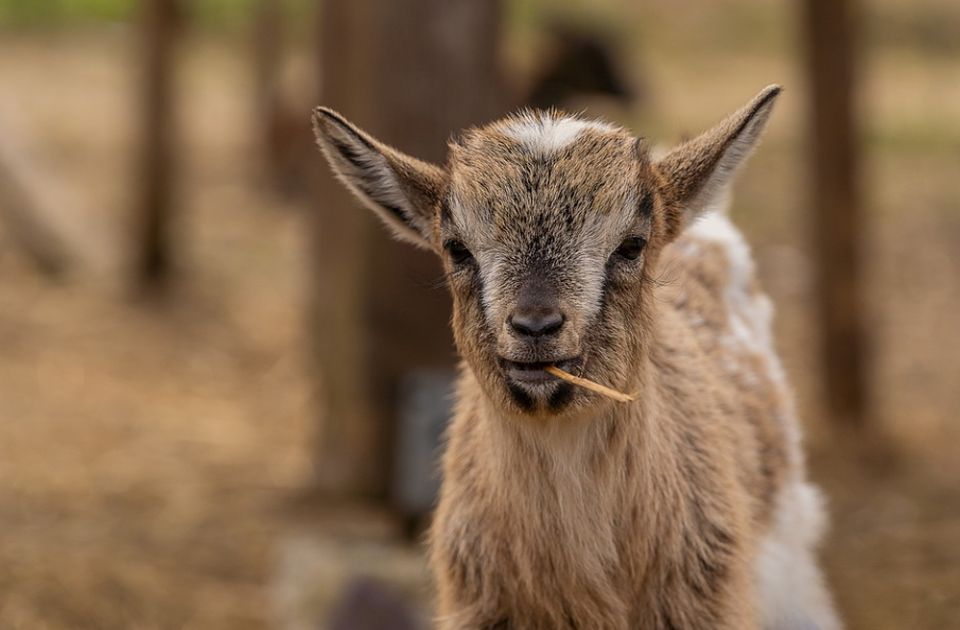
697, 173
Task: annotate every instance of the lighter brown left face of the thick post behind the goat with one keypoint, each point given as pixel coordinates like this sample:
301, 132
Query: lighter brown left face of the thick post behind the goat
350, 453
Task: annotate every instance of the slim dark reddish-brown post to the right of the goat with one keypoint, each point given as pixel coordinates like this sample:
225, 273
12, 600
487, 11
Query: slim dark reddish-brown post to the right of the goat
830, 40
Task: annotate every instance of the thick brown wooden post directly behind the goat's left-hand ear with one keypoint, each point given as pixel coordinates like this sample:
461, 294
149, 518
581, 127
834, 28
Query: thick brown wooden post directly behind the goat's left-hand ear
412, 73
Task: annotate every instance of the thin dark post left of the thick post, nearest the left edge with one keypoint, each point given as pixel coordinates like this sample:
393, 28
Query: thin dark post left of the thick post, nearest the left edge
160, 22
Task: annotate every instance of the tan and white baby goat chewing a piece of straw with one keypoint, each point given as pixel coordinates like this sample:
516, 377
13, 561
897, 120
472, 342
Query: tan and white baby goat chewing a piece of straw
560, 508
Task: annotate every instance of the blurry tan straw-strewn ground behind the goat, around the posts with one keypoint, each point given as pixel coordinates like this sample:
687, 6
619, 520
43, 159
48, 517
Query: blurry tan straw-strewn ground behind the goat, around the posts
149, 452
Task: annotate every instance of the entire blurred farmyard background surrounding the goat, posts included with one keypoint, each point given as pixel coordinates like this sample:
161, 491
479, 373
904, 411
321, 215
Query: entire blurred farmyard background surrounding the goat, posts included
221, 384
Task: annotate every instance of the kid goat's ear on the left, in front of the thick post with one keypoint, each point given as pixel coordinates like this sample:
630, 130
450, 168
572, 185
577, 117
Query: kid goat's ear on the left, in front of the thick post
402, 190
